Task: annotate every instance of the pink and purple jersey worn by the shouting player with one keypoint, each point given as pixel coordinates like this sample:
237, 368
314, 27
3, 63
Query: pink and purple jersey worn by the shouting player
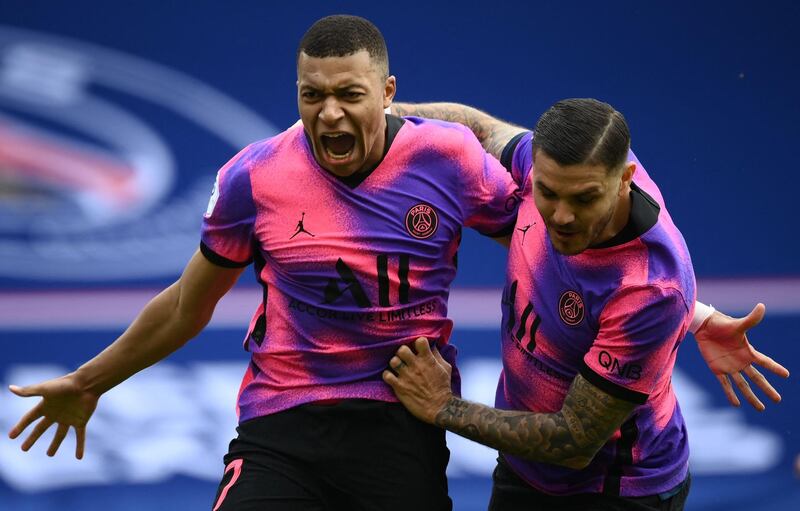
351, 268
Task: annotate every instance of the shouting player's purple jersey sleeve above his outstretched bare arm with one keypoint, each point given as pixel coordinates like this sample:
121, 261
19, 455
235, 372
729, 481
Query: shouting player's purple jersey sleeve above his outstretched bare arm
227, 232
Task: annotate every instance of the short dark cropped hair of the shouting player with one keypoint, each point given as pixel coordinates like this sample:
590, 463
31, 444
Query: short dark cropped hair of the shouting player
341, 35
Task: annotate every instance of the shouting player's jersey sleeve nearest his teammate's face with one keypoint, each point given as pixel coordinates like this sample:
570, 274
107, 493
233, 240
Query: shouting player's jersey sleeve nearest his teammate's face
490, 194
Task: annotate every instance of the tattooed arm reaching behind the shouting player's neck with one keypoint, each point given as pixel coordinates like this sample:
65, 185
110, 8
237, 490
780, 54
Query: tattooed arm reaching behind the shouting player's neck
493, 133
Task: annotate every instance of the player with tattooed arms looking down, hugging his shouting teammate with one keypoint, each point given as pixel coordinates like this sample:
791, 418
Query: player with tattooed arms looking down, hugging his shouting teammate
600, 292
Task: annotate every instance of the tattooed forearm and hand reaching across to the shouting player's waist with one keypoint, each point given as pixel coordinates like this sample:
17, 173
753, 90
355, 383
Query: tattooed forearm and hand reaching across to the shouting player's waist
570, 437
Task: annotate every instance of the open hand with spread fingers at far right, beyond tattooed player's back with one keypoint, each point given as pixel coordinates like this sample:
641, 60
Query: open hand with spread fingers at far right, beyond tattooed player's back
723, 343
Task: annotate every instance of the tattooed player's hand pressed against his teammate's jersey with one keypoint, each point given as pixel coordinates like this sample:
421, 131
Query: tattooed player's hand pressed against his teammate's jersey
420, 380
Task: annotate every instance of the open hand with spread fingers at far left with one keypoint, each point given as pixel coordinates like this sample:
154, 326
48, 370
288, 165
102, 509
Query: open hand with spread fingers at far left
64, 403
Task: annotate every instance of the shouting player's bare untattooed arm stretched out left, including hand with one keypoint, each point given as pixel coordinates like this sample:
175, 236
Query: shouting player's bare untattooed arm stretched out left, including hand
165, 324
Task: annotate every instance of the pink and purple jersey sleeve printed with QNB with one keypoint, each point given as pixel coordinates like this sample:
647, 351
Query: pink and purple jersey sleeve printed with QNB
640, 329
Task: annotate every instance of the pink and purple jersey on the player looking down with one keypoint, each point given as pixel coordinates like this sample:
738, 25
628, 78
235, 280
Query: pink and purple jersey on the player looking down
616, 314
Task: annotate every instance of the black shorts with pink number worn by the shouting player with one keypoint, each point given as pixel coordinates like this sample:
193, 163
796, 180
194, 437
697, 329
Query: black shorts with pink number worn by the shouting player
349, 456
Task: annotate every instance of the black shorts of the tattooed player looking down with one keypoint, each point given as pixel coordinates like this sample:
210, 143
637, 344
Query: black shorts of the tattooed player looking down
511, 493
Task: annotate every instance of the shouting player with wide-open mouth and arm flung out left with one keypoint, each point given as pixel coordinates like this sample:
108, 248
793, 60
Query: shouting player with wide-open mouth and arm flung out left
352, 220
